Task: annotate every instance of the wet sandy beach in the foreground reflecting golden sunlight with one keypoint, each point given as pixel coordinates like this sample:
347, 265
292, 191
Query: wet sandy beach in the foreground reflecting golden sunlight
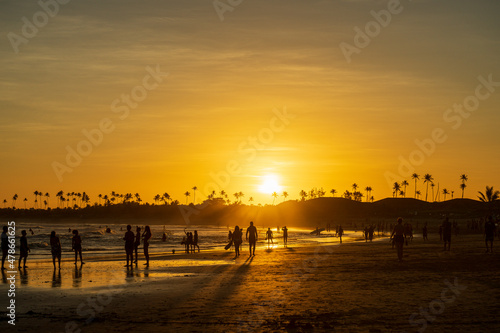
350, 287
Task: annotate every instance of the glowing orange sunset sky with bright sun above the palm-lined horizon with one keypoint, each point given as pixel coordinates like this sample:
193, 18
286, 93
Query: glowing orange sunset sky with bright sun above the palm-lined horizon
265, 93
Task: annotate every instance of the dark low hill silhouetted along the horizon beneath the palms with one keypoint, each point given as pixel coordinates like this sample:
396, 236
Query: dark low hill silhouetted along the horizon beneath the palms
309, 213
